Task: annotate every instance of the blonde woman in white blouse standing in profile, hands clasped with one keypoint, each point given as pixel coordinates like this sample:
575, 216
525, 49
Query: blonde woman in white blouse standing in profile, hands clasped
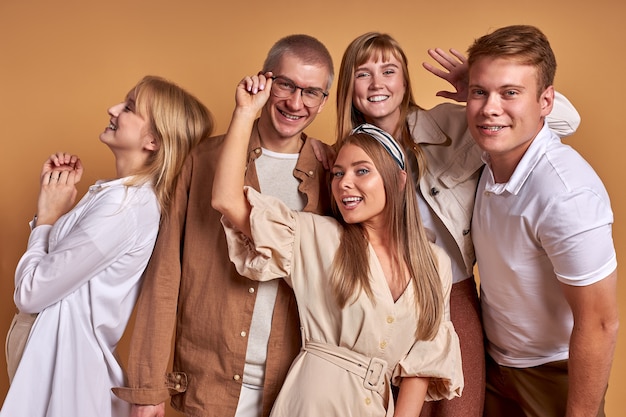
81, 273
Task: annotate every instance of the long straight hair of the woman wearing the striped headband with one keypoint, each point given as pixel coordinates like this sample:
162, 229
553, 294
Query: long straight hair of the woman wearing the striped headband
408, 241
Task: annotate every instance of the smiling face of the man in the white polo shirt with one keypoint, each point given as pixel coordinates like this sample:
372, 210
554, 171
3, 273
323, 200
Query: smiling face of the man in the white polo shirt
505, 110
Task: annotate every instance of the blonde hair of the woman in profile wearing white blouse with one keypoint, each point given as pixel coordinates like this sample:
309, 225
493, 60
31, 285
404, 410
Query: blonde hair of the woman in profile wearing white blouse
177, 121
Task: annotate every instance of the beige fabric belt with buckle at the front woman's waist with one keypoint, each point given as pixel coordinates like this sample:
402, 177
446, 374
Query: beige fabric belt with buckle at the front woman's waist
372, 370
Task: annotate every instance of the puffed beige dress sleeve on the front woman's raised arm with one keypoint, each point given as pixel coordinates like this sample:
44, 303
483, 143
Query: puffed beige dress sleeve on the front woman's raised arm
268, 255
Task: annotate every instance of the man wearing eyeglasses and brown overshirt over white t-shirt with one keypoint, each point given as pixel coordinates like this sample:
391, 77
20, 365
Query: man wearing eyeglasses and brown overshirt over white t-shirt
235, 338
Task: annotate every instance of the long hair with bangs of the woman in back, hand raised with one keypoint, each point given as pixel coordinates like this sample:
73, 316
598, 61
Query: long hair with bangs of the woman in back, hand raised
362, 49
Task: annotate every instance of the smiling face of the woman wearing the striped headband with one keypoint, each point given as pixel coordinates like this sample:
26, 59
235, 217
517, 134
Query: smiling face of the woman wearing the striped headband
358, 187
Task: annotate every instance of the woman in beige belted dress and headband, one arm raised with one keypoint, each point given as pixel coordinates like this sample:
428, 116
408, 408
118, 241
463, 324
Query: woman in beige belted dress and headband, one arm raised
372, 292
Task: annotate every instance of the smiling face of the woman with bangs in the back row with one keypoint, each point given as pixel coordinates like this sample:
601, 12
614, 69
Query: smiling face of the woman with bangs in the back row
379, 89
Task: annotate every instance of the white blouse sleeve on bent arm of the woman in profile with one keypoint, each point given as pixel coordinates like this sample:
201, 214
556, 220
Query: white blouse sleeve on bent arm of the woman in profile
99, 236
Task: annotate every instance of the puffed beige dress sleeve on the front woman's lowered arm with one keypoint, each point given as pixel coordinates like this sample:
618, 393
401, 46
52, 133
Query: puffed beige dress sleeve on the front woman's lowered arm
439, 358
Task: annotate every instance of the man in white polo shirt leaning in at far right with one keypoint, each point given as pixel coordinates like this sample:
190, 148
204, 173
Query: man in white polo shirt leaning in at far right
542, 232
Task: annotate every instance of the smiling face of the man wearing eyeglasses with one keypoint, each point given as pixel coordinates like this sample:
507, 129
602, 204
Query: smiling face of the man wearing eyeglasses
284, 119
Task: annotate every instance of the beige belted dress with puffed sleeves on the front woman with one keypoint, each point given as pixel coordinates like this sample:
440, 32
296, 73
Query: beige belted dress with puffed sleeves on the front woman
349, 355
